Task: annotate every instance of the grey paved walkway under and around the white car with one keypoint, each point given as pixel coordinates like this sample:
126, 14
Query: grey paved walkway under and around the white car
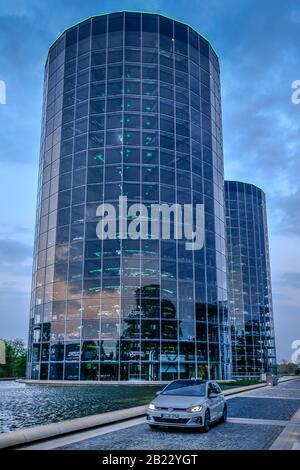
266, 418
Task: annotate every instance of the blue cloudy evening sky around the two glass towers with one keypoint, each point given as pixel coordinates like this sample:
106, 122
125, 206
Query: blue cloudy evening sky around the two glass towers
258, 44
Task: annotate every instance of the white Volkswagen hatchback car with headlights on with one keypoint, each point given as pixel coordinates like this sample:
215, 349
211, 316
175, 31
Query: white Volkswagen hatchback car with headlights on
189, 403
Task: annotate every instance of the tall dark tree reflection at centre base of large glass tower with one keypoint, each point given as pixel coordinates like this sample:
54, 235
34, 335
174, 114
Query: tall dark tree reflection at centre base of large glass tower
149, 336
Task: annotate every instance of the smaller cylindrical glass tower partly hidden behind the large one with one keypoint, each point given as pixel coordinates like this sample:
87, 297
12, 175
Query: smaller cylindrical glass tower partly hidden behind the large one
249, 282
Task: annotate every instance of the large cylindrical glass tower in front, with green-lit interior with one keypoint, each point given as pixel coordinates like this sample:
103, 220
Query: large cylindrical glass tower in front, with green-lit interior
131, 107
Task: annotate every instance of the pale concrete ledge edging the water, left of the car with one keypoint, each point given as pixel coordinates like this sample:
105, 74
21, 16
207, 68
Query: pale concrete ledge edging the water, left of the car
46, 431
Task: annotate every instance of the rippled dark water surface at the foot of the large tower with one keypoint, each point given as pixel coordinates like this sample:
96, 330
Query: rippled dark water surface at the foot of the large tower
24, 405
